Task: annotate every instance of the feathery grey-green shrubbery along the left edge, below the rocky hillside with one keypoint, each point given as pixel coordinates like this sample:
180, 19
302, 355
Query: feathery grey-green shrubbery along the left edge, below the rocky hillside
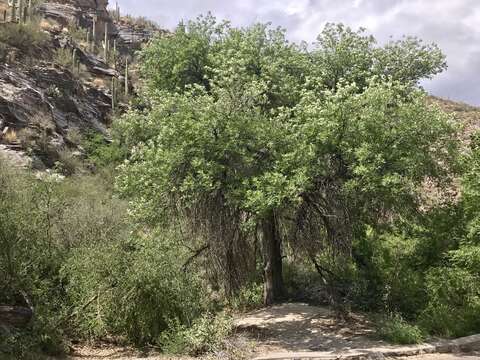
41, 220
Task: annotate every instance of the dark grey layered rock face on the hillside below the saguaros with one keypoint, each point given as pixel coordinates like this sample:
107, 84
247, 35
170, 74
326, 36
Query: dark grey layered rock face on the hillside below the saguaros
42, 108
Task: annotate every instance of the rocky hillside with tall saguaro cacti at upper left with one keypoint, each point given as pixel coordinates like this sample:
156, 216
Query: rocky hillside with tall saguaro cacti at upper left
56, 85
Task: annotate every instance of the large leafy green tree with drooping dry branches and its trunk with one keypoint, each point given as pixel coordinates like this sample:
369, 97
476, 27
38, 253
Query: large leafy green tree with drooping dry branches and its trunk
242, 129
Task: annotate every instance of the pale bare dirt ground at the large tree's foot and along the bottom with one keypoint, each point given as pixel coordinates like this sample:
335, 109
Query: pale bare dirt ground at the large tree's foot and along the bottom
286, 328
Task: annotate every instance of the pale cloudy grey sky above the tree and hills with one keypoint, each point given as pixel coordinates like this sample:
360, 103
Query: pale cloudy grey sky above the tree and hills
453, 24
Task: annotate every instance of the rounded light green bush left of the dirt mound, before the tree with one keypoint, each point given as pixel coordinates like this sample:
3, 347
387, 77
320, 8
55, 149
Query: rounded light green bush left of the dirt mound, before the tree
135, 289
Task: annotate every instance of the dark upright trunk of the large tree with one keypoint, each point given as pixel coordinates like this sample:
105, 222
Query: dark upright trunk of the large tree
272, 253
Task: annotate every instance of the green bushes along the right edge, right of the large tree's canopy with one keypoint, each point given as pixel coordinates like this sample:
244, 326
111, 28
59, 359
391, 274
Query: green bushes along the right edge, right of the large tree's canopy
453, 285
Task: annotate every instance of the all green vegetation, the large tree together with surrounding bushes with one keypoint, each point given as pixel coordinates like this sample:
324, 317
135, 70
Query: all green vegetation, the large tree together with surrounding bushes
248, 171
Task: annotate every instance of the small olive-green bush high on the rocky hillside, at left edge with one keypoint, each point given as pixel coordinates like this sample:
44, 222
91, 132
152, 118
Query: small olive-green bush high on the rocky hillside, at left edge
26, 37
